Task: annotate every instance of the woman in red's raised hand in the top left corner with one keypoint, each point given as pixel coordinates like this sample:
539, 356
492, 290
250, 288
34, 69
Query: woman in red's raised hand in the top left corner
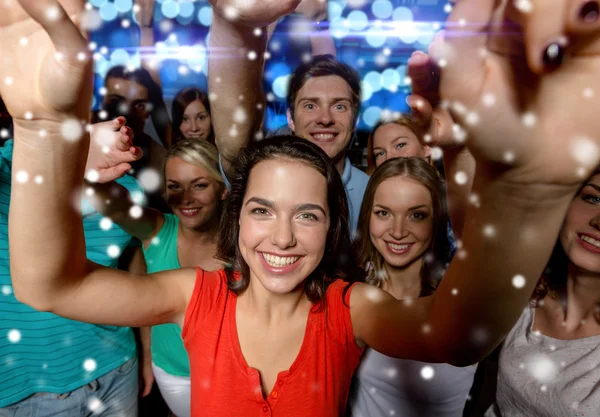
47, 69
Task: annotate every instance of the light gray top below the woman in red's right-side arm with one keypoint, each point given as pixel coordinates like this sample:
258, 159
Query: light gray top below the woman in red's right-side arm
385, 386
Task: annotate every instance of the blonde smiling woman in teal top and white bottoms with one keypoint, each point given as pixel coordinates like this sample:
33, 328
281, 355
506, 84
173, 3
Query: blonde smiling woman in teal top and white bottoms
195, 192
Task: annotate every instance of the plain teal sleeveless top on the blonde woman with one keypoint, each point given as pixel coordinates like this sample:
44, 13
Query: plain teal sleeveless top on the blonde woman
168, 352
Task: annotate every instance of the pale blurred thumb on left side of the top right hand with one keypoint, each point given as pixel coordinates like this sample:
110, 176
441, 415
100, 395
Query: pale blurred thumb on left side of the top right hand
460, 55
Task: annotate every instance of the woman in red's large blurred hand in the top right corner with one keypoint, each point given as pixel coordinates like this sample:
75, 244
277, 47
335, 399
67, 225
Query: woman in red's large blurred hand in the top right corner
521, 105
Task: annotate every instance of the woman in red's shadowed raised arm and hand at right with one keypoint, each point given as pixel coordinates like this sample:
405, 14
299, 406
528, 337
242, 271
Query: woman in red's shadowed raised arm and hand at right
523, 199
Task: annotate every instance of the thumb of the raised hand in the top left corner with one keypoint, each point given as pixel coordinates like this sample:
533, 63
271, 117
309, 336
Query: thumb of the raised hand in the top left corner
52, 17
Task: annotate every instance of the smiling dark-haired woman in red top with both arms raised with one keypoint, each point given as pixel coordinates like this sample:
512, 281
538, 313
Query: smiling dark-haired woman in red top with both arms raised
283, 334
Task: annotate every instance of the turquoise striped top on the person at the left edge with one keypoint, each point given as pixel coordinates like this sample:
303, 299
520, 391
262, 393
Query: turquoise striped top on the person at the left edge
41, 352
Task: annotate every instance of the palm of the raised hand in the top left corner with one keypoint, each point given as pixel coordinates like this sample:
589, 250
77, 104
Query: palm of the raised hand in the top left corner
33, 82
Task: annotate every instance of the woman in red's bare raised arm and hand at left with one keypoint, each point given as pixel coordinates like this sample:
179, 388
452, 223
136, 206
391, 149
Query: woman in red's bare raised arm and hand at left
49, 101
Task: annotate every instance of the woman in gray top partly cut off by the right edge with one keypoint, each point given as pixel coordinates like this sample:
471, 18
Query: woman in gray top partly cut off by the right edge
550, 362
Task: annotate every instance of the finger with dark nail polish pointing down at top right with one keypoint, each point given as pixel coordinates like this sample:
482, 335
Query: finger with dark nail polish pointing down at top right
543, 24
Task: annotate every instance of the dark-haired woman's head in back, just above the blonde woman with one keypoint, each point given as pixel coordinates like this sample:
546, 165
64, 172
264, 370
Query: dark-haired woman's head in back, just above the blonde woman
191, 116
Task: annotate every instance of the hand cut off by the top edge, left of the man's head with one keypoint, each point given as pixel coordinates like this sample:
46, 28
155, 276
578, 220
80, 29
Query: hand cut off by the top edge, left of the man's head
254, 13
